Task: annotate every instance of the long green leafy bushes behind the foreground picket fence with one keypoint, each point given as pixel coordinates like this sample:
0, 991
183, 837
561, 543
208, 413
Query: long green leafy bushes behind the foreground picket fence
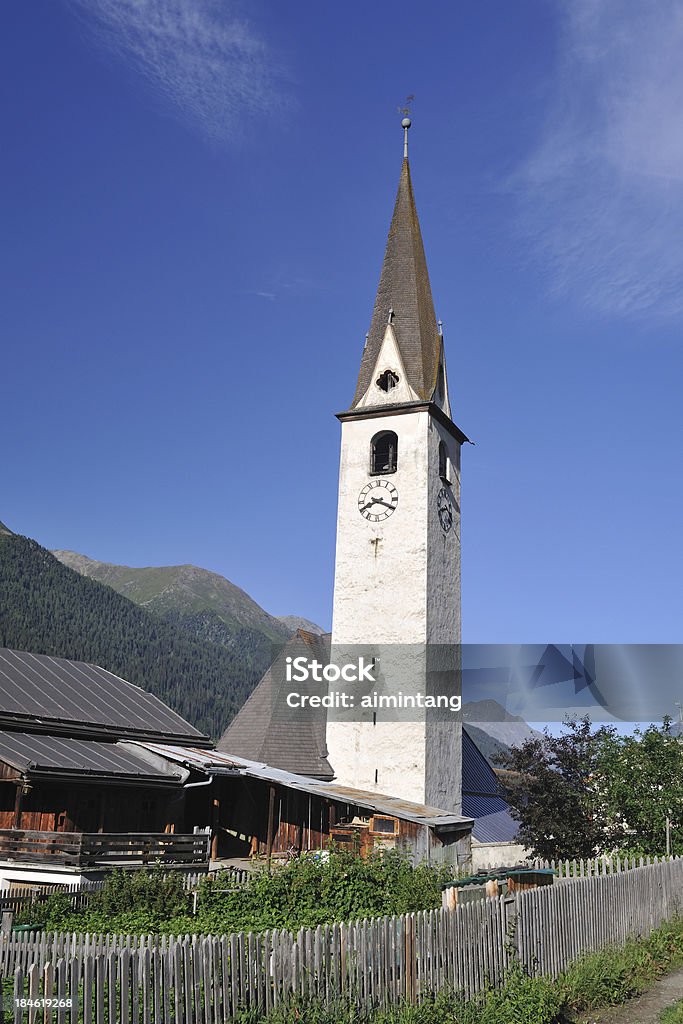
304, 893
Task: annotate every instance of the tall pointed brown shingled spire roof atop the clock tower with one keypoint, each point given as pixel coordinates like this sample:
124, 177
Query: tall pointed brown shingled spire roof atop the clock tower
405, 300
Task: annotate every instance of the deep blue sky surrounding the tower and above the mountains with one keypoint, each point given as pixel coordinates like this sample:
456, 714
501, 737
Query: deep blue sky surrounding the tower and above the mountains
195, 203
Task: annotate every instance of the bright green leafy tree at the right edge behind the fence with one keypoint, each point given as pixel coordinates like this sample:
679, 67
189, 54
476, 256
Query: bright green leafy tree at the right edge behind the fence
642, 782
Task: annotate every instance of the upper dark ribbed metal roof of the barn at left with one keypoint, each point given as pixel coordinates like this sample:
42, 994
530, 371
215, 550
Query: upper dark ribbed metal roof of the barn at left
44, 693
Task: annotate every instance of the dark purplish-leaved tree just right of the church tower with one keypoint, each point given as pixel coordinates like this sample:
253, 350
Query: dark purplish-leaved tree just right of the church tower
553, 794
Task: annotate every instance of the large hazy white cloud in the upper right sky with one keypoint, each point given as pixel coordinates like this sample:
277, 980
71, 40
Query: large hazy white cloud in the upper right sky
603, 194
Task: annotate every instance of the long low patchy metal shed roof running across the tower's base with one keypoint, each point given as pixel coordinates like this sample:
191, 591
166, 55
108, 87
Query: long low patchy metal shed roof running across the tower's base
216, 763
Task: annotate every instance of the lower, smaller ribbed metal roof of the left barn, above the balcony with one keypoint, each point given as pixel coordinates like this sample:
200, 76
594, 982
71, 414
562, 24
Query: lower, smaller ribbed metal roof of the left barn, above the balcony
37, 754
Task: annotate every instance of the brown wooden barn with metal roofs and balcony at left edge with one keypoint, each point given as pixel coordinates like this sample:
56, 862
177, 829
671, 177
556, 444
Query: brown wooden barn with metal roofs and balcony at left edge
76, 794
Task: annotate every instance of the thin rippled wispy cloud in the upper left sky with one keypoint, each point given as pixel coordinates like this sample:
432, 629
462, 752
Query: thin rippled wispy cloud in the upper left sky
209, 64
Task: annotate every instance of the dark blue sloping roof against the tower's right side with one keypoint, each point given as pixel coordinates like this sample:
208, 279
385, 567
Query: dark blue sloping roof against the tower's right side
483, 797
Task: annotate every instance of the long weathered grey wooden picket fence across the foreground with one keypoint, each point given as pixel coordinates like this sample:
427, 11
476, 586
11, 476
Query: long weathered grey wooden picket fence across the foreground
383, 962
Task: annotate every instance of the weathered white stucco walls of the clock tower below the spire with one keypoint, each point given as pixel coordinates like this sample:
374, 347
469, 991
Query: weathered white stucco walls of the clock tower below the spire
398, 585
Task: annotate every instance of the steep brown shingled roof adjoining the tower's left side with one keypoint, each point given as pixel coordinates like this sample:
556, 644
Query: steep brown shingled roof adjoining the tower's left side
267, 731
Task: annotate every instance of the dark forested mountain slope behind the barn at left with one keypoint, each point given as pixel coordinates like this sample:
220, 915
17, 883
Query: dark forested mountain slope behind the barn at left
49, 609
